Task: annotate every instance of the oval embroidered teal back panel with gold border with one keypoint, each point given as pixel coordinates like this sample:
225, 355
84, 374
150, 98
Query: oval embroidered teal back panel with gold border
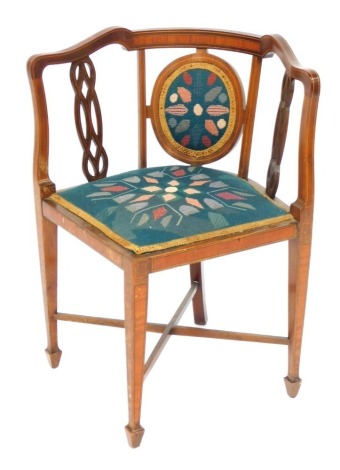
197, 108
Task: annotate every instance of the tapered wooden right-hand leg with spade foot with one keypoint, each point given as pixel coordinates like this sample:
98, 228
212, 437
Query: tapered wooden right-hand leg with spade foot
299, 259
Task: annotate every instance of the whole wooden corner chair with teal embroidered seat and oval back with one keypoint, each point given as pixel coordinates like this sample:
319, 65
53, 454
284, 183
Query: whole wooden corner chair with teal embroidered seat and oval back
151, 219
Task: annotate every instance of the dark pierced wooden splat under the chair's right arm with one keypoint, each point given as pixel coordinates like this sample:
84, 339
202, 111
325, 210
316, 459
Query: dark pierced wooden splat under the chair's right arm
280, 134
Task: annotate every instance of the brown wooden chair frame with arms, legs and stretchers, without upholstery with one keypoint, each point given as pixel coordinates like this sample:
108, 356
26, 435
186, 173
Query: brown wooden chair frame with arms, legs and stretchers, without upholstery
137, 268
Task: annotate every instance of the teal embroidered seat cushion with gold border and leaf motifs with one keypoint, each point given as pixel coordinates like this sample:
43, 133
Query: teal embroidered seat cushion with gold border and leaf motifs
155, 208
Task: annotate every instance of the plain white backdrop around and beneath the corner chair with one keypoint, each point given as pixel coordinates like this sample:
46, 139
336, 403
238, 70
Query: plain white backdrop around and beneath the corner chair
207, 404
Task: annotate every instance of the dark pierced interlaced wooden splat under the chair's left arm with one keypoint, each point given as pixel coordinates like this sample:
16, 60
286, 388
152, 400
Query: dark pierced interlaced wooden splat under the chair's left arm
88, 119
